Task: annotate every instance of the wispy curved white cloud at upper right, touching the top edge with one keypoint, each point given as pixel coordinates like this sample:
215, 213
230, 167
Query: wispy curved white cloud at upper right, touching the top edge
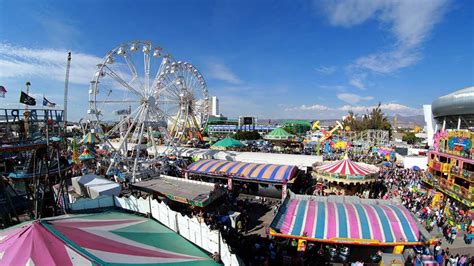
409, 21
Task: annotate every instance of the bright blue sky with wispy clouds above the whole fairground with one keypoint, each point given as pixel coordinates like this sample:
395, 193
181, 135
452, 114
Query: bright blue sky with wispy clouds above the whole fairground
272, 59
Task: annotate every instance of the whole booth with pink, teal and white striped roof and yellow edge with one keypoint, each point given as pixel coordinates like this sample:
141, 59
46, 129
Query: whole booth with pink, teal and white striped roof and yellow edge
349, 221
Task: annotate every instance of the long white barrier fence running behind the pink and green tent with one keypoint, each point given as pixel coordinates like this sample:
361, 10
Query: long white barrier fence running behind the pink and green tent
190, 228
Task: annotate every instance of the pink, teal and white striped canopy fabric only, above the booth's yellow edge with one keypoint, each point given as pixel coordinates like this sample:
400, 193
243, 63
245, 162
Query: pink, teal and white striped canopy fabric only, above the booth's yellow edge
345, 221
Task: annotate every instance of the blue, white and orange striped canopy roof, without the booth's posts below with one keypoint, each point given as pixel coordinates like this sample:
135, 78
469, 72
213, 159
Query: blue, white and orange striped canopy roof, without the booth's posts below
252, 171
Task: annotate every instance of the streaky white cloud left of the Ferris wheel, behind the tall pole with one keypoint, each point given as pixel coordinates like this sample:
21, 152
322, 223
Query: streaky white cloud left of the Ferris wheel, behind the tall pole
50, 64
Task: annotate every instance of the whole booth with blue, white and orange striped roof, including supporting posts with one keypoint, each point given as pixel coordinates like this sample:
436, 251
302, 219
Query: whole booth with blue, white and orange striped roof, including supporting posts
267, 179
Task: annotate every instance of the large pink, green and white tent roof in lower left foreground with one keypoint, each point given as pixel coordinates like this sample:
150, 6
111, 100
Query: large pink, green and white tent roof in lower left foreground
101, 238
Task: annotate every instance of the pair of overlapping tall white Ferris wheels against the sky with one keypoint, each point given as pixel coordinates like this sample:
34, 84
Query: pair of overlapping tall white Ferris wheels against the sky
139, 98
